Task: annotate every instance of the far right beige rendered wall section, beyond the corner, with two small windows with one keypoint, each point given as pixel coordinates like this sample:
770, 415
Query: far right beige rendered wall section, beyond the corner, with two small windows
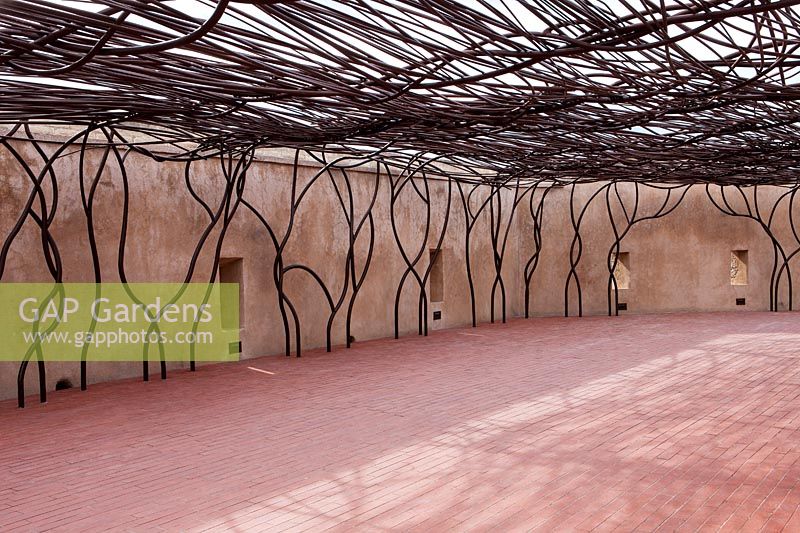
680, 262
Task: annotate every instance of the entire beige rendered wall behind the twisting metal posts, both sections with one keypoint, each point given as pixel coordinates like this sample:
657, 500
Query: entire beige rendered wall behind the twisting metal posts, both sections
677, 263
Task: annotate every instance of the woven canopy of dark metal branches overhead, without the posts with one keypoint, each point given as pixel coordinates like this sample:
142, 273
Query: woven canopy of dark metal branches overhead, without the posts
676, 90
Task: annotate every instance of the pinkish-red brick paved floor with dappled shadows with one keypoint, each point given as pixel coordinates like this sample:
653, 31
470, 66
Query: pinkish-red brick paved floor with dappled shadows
634, 423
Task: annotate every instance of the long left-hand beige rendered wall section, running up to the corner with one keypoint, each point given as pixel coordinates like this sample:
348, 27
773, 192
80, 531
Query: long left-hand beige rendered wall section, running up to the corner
165, 223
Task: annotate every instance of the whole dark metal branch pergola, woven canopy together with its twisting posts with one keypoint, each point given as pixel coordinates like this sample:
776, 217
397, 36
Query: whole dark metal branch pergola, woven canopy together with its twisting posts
503, 101
